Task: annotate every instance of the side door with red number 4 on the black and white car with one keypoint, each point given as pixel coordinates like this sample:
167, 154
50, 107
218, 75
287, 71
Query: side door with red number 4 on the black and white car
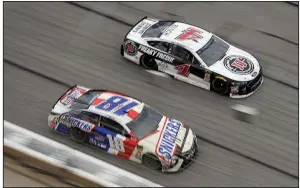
189, 69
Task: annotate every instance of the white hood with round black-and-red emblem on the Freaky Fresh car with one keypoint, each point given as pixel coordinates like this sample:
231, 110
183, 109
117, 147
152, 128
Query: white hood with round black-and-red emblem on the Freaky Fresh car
237, 65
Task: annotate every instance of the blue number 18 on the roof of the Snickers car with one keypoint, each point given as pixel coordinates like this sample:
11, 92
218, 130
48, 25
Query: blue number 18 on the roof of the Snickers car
116, 103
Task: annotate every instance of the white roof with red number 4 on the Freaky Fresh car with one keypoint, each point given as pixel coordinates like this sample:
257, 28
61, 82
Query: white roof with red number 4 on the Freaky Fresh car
191, 37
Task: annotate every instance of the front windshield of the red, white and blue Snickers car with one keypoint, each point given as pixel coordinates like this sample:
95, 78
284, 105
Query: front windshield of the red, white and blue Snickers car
145, 123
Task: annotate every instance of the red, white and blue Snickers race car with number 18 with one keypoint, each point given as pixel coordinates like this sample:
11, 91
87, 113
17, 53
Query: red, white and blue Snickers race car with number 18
125, 127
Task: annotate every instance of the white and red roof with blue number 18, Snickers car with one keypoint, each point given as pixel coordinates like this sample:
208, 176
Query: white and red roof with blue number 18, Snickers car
116, 106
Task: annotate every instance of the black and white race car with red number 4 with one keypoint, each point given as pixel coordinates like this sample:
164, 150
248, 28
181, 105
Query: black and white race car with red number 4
193, 55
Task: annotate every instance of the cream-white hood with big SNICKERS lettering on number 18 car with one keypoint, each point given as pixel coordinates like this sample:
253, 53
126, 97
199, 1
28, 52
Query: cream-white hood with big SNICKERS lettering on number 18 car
171, 137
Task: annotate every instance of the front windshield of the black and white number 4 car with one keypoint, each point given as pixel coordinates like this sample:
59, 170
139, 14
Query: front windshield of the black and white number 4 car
214, 50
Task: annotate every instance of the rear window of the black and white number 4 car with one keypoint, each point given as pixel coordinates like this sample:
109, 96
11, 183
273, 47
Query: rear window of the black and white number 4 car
156, 30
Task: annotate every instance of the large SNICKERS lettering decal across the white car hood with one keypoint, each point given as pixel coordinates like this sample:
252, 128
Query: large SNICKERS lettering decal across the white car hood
168, 139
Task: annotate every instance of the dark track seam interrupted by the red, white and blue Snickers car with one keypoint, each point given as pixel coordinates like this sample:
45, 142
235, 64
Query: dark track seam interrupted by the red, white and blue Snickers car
198, 136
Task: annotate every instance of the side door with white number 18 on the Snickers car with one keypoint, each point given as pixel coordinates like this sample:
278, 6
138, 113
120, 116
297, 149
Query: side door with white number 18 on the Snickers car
114, 138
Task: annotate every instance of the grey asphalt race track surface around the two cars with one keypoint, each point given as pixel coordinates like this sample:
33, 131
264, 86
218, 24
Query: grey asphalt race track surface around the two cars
48, 46
